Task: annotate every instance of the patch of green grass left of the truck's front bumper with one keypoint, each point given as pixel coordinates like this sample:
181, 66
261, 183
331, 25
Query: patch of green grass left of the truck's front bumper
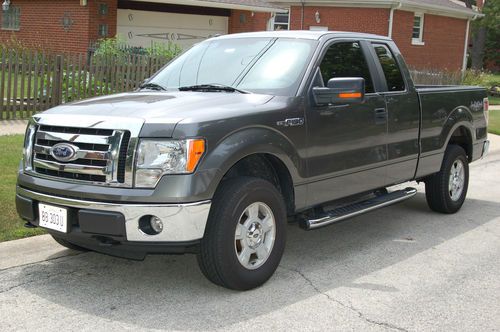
11, 226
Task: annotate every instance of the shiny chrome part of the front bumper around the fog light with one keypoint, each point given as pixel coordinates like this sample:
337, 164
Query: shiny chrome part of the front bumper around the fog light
182, 222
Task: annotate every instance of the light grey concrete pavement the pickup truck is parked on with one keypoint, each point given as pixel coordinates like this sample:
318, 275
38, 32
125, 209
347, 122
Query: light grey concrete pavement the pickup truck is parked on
400, 268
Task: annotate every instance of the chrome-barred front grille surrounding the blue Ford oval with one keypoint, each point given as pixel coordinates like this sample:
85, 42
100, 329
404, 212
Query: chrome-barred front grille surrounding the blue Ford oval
100, 157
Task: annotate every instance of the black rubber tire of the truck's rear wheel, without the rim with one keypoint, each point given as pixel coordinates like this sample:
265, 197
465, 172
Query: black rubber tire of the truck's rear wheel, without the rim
437, 190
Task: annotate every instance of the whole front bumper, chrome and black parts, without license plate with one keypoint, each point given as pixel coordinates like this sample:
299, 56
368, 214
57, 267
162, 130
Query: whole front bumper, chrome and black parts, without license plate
183, 223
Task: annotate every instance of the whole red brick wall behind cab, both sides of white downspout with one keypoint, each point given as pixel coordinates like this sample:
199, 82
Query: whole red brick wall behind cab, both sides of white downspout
444, 37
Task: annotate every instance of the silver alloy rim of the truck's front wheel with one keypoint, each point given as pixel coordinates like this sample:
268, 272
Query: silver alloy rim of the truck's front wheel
255, 235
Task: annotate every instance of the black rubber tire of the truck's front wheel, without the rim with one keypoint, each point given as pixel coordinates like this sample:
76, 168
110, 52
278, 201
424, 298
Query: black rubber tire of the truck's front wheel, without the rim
217, 256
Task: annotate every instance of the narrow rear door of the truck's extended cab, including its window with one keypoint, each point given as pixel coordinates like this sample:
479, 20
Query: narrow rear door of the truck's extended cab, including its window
403, 110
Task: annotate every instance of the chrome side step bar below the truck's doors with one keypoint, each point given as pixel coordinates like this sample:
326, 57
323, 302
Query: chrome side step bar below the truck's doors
349, 211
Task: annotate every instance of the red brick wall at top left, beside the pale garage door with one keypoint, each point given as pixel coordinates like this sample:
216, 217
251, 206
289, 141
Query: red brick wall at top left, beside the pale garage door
41, 24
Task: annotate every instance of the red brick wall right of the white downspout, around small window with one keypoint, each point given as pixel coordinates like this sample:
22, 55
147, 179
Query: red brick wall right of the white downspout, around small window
444, 39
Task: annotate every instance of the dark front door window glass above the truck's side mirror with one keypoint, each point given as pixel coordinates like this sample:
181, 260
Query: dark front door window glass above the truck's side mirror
346, 59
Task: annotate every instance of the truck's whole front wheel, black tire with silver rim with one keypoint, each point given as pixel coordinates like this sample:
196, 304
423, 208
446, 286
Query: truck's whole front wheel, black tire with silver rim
245, 235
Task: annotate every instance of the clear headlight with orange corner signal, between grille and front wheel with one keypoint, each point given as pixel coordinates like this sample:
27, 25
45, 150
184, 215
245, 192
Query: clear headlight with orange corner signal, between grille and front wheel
156, 158
